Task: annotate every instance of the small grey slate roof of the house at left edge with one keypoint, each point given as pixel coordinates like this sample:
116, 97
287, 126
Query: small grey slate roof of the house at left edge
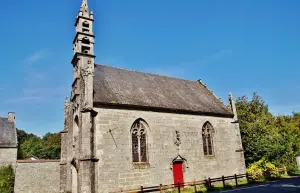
8, 135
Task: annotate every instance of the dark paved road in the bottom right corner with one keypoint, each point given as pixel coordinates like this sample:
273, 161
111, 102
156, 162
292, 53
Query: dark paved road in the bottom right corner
291, 185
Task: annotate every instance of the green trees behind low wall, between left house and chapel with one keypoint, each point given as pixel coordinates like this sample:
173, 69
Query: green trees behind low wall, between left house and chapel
47, 147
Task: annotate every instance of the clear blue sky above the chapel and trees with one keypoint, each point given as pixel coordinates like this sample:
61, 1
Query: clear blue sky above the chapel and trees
233, 46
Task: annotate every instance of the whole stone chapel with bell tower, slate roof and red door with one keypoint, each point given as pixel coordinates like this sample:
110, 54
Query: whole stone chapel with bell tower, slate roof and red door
125, 129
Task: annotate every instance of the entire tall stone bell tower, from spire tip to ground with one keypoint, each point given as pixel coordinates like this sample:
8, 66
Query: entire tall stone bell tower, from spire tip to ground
80, 159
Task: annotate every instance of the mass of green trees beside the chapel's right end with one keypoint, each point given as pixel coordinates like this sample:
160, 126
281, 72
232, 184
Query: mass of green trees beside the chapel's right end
276, 138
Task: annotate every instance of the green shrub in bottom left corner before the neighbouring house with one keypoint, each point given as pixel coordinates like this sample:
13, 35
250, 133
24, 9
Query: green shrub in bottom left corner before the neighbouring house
7, 179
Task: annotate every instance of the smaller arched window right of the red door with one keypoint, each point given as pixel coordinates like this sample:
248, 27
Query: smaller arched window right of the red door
207, 137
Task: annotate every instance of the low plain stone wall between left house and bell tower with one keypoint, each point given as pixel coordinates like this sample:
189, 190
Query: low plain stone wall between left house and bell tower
37, 177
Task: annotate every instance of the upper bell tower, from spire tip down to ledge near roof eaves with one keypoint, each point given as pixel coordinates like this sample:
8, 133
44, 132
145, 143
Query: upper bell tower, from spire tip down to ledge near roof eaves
84, 56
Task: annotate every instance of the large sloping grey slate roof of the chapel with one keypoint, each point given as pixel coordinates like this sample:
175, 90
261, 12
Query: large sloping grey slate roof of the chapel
115, 86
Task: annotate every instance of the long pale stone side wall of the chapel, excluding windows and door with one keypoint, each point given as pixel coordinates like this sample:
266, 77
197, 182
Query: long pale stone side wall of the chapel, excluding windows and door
115, 170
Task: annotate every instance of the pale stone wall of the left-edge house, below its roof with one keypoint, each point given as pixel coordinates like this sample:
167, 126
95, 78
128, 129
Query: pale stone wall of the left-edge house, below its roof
8, 156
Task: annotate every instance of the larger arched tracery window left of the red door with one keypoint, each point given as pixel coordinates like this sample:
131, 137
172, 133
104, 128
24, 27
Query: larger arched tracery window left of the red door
139, 141
